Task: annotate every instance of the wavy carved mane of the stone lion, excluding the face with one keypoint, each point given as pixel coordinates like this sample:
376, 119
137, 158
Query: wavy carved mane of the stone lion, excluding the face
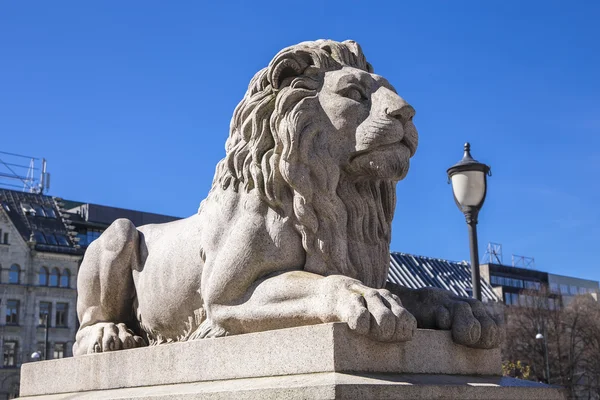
275, 148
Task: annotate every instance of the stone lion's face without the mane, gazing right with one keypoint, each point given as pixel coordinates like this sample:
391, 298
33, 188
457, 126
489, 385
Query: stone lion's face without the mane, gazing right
375, 136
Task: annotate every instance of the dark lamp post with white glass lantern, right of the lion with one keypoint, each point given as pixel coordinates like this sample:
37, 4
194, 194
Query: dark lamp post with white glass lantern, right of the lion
469, 185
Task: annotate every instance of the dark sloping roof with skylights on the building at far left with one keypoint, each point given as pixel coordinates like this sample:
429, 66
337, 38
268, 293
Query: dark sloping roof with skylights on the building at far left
39, 215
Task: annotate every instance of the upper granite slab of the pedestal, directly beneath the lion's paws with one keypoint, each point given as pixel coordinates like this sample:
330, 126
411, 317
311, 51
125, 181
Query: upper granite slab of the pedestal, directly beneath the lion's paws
296, 351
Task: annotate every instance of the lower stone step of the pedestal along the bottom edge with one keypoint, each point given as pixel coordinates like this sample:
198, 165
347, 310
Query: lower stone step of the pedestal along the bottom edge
333, 385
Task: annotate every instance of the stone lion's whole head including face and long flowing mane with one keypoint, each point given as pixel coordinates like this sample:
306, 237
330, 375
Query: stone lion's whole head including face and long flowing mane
323, 139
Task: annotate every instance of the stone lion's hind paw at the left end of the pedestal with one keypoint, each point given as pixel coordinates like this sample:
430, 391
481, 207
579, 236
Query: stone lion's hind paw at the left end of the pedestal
105, 336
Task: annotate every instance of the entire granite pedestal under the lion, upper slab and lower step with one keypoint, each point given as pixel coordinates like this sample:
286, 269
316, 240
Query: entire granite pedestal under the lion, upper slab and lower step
314, 362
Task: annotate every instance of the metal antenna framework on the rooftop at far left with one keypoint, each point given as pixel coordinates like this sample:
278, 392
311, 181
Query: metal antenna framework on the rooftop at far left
11, 177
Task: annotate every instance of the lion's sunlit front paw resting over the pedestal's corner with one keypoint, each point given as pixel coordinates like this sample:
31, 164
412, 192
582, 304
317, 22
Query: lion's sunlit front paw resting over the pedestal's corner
373, 312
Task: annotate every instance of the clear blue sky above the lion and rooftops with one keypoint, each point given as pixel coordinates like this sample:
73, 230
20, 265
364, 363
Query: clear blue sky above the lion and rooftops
130, 102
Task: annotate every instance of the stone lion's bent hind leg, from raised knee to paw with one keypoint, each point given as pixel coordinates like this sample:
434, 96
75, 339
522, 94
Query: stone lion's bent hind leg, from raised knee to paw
106, 291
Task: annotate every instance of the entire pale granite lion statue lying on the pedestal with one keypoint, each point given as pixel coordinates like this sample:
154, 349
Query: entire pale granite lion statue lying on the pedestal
295, 229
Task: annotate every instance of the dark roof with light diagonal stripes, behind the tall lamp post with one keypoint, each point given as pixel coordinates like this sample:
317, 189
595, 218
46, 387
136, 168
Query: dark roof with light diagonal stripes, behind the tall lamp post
417, 271
